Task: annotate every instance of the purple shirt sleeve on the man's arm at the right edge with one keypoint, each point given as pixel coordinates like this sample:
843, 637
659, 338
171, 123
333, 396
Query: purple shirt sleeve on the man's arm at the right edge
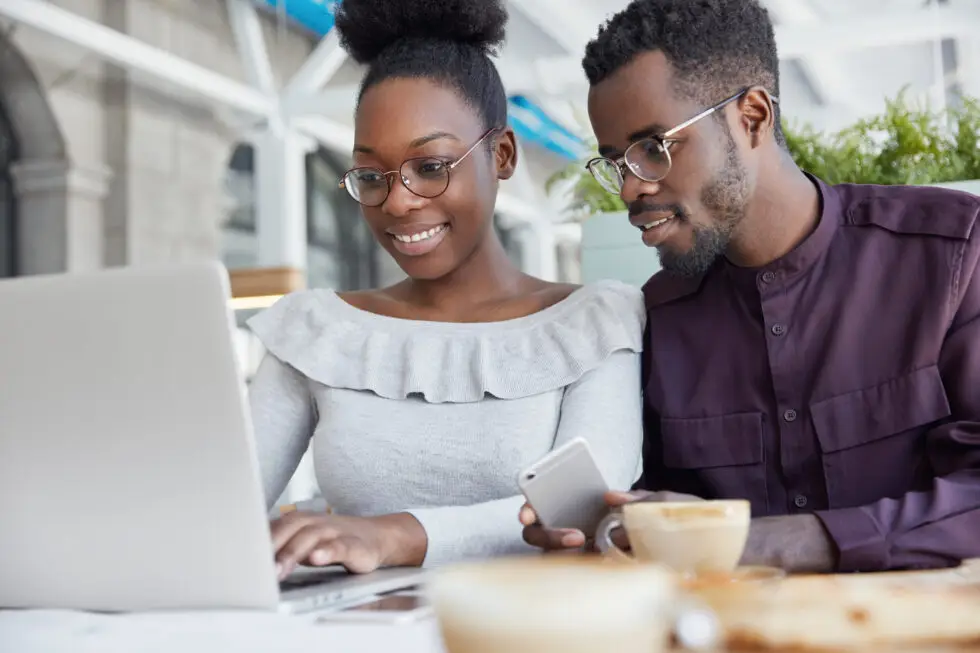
939, 526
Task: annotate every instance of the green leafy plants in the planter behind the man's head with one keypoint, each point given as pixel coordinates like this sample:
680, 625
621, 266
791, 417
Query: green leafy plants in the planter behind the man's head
907, 144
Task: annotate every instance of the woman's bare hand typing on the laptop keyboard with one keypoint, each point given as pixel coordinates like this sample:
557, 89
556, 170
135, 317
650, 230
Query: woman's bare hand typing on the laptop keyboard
361, 544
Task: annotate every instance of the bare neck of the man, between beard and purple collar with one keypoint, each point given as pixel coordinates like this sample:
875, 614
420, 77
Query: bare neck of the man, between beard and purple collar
784, 210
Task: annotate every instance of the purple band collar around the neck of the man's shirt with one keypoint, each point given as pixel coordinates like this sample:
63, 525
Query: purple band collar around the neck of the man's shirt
664, 287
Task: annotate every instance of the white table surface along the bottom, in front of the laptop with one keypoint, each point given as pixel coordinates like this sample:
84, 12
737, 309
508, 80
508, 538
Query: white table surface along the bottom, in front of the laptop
55, 631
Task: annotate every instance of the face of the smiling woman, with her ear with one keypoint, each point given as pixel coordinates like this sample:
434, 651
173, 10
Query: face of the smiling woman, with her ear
401, 119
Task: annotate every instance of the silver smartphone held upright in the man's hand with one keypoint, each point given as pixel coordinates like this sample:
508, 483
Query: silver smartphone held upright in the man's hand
566, 488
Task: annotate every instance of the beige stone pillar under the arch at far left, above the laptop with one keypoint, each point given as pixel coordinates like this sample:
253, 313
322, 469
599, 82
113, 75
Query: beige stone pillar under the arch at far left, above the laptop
60, 215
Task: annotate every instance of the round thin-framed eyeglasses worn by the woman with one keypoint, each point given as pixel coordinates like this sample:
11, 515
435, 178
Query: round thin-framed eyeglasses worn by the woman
426, 176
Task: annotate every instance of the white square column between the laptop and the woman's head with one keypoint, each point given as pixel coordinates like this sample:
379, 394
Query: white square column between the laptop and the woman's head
280, 197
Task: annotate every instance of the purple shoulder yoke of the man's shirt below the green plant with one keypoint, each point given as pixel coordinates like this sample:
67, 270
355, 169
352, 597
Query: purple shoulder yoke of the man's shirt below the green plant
925, 211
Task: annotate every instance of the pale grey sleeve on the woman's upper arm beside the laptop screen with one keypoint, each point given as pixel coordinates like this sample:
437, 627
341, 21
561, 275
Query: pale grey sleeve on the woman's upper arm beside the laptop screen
282, 423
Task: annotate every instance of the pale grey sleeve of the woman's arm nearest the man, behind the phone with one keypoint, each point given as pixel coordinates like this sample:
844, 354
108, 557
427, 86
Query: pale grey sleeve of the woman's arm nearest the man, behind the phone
603, 407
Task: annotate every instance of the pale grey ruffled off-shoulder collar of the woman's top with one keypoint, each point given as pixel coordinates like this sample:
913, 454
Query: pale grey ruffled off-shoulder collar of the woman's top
343, 342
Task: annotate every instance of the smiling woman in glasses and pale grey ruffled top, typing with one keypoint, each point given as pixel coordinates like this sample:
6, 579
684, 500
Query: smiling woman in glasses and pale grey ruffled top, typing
424, 400
